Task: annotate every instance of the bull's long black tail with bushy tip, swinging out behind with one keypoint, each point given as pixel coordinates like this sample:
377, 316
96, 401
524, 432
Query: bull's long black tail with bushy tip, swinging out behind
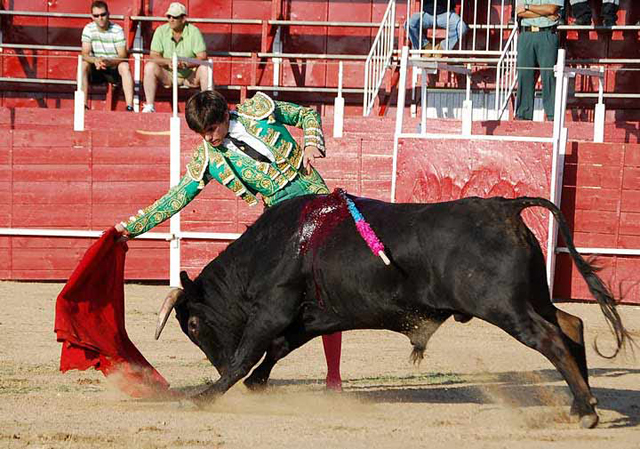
598, 289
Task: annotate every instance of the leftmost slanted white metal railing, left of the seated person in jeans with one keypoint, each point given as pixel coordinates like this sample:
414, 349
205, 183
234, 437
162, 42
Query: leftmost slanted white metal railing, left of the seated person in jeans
379, 58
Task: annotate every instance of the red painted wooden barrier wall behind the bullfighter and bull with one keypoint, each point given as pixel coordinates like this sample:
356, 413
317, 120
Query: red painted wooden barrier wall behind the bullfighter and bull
51, 177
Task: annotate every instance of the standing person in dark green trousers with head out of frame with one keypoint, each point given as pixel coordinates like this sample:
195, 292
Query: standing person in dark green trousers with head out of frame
537, 47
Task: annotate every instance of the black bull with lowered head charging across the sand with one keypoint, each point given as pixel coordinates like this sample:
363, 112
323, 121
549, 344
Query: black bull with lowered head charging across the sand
302, 270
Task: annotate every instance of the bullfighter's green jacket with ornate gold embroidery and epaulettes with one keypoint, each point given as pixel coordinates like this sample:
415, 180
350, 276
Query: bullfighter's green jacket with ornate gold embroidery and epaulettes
264, 119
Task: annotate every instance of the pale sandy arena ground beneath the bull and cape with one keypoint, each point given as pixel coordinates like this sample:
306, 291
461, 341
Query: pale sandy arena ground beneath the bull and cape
477, 388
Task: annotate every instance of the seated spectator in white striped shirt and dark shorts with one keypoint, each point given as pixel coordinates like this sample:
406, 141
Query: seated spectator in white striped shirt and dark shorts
105, 57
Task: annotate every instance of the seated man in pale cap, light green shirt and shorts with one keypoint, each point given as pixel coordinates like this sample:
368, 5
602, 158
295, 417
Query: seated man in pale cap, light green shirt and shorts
184, 39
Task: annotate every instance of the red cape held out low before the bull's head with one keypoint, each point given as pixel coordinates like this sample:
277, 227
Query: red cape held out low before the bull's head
90, 321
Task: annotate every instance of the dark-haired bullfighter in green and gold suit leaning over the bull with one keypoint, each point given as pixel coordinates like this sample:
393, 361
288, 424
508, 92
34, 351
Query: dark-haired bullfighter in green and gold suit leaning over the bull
251, 152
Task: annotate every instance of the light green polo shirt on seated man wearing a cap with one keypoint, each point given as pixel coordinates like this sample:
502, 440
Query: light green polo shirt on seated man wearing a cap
191, 43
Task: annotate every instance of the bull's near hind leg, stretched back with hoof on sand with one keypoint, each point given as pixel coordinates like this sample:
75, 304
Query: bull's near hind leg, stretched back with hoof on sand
538, 333
